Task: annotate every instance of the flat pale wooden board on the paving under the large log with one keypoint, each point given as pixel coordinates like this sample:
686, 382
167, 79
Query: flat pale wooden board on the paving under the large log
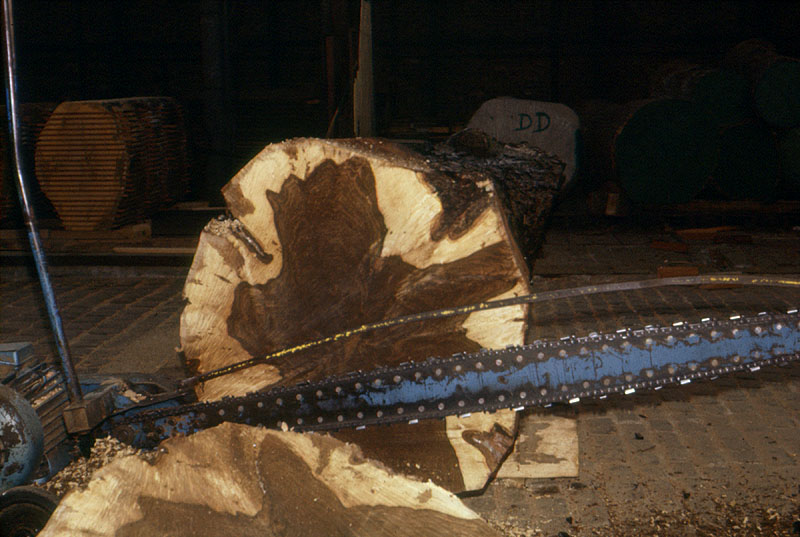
546, 447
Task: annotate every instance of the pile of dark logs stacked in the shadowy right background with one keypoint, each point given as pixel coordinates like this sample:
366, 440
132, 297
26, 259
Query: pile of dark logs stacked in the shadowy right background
704, 129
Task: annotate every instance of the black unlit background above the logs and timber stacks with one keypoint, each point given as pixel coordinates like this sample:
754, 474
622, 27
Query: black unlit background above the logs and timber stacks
248, 73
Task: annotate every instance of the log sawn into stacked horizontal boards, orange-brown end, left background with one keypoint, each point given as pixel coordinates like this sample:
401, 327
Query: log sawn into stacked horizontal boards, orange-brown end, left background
104, 164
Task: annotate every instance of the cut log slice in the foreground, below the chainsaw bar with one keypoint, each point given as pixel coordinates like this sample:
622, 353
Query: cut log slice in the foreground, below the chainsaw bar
239, 480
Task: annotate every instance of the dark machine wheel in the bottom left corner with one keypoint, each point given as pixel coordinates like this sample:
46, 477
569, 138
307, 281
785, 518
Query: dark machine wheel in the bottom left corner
24, 511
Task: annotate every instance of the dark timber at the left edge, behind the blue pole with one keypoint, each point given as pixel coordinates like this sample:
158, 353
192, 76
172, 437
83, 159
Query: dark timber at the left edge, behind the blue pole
33, 117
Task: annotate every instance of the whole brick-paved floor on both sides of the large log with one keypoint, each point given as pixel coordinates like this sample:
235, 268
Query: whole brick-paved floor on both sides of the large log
708, 459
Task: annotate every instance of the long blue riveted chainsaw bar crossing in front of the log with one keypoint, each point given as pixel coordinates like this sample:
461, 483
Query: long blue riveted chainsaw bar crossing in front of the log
538, 374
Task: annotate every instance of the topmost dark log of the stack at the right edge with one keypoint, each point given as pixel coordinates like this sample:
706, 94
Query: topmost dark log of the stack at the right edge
774, 80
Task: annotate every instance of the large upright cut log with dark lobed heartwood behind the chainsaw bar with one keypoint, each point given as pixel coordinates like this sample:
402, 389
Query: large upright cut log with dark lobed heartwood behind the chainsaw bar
325, 236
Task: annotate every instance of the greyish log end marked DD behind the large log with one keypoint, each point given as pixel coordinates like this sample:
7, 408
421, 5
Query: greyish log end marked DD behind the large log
553, 127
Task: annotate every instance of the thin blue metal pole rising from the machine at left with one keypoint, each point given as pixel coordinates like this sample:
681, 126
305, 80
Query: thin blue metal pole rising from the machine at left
73, 387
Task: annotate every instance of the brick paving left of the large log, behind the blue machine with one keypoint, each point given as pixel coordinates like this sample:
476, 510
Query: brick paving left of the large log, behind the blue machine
115, 321
